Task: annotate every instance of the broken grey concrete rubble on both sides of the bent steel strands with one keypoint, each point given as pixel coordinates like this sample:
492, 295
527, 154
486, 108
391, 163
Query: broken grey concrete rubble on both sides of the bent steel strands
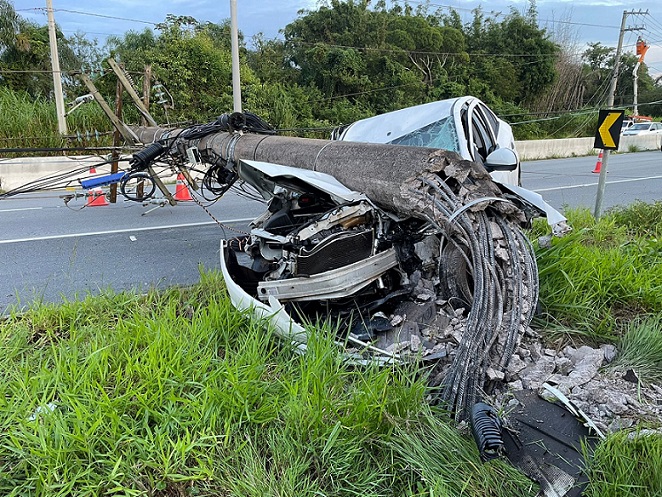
613, 397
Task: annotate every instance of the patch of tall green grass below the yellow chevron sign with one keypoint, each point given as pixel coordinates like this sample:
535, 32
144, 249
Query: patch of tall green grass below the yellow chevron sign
596, 279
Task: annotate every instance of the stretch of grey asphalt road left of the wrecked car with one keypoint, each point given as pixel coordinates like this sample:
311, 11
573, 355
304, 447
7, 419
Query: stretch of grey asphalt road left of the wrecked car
50, 251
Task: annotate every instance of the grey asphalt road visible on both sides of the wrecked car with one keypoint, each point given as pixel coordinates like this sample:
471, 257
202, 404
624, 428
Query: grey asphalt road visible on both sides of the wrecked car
50, 251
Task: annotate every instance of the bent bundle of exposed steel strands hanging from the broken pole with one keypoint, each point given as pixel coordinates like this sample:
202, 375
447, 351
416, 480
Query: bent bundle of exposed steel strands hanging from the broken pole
505, 288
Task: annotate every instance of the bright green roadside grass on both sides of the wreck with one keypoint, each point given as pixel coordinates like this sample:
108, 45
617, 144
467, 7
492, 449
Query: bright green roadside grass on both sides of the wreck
176, 393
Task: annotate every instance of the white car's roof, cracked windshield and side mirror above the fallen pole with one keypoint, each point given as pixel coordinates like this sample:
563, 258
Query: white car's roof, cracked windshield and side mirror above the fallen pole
464, 125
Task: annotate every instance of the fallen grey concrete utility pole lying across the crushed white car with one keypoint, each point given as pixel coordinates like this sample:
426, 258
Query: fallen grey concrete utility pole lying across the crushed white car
382, 172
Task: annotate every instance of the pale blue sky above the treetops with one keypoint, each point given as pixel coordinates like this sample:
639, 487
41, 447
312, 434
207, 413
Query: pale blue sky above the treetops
574, 22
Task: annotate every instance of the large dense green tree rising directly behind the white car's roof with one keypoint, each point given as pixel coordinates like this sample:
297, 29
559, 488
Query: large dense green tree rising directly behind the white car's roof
380, 59
